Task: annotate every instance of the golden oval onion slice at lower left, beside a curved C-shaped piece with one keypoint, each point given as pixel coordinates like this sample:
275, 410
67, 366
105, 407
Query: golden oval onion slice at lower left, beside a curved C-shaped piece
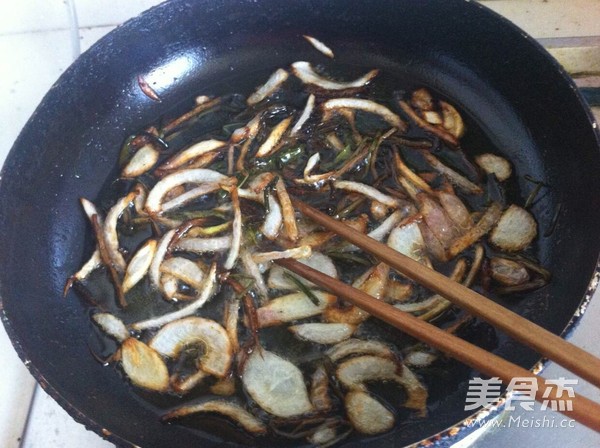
144, 366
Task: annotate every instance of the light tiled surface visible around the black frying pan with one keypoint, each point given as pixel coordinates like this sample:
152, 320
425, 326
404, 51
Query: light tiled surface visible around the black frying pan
40, 38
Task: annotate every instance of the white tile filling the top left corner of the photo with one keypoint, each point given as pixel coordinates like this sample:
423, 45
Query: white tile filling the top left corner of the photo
34, 15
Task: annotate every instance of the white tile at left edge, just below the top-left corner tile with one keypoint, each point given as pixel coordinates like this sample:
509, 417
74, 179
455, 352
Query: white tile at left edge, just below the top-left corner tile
29, 65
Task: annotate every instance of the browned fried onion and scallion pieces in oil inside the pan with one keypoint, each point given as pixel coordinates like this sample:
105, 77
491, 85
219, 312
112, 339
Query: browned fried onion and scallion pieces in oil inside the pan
205, 205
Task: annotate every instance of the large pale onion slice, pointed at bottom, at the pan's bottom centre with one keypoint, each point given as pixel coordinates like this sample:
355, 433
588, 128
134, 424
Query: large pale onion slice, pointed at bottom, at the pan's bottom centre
275, 384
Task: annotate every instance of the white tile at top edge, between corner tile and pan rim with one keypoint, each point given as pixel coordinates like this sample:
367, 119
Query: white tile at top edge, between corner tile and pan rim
92, 13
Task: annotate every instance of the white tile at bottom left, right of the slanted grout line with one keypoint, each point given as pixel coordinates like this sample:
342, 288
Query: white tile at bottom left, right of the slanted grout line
50, 426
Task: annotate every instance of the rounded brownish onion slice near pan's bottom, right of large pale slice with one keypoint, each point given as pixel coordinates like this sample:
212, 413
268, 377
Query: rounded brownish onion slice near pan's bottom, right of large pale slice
367, 415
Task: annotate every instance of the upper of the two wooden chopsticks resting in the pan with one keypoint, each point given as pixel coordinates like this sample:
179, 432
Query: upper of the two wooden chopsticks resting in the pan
553, 347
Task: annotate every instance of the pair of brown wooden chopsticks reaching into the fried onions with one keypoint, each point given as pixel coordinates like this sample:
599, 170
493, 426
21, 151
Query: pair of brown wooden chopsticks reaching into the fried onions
544, 342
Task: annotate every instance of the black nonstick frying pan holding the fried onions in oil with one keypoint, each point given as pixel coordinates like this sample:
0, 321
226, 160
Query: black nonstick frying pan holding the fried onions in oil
505, 83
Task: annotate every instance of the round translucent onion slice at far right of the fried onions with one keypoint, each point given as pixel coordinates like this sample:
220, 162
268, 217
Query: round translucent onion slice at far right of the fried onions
515, 230
